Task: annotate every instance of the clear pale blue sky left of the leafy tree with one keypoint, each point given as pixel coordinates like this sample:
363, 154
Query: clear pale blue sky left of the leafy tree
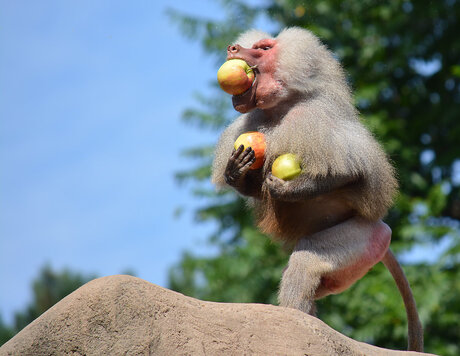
91, 95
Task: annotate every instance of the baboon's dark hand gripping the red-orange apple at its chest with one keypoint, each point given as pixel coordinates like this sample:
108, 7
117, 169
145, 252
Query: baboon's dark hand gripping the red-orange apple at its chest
238, 165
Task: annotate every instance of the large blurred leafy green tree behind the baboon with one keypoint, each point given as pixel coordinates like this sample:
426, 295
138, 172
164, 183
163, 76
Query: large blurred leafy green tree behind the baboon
402, 59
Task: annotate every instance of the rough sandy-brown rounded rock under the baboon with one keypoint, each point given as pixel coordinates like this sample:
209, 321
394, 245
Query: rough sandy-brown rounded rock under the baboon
123, 315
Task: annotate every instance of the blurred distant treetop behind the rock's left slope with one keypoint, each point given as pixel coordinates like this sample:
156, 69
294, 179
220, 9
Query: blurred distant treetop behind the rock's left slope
48, 288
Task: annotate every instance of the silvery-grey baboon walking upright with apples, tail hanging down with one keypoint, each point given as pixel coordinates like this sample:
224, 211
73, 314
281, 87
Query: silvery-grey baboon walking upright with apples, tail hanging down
331, 213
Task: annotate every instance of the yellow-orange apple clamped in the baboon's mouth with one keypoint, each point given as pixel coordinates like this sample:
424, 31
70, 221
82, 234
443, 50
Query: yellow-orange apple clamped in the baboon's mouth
235, 76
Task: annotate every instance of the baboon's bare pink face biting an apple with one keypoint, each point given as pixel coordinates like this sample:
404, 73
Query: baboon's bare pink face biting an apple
262, 57
